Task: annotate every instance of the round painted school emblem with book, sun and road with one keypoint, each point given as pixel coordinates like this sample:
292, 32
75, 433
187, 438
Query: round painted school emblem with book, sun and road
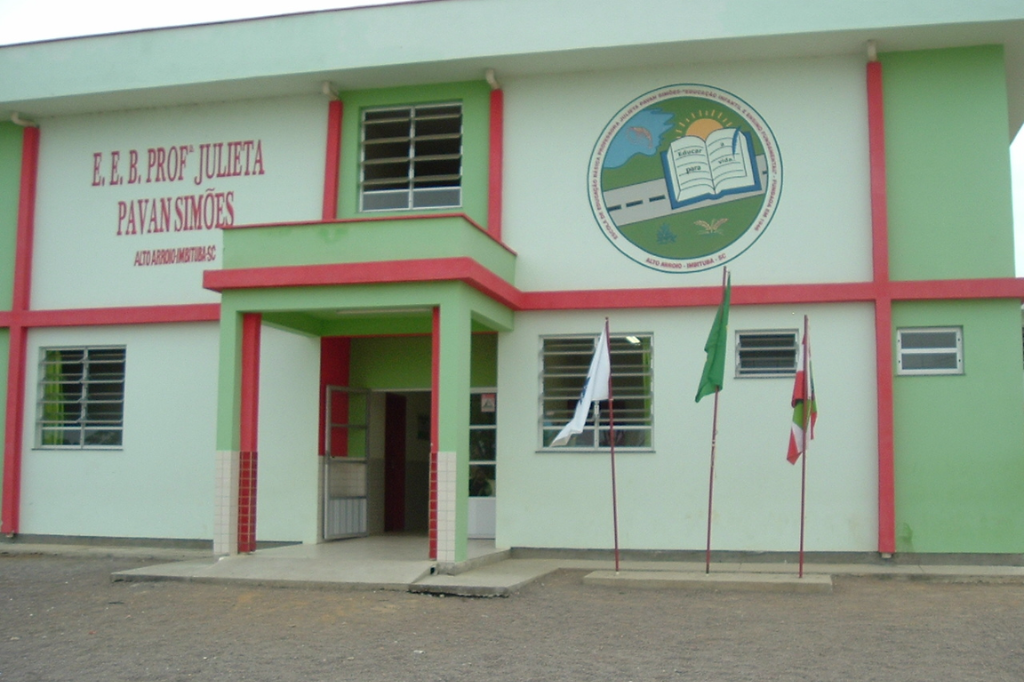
686, 179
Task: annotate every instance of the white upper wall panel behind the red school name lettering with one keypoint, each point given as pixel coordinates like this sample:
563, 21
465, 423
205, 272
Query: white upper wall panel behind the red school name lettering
79, 259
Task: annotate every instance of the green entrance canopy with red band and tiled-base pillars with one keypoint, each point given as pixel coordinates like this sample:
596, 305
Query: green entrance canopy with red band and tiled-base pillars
442, 276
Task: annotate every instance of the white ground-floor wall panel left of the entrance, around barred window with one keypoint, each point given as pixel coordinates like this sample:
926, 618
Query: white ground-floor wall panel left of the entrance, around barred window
160, 484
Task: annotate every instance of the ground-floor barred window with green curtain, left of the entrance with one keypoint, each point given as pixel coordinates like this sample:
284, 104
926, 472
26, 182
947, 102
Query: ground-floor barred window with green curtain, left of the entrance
81, 398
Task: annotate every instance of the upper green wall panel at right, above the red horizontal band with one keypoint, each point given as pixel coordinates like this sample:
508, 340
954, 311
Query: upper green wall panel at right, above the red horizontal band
948, 162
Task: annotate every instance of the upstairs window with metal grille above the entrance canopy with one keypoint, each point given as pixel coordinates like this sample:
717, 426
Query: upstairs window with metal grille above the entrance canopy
412, 158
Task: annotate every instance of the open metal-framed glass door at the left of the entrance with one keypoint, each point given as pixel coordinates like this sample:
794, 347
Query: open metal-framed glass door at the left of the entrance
347, 449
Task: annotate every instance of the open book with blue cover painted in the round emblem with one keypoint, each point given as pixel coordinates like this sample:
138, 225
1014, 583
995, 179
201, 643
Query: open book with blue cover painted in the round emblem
697, 169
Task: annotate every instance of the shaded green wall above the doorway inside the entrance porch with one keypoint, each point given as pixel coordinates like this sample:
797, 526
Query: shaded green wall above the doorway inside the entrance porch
404, 362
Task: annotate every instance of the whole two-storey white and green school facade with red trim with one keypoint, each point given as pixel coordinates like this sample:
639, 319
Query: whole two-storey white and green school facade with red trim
349, 280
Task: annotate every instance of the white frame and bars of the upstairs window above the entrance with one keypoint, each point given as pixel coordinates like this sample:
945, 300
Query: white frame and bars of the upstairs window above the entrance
414, 195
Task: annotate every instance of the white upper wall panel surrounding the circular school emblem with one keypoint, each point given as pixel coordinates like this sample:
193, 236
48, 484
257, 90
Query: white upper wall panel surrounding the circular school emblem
816, 108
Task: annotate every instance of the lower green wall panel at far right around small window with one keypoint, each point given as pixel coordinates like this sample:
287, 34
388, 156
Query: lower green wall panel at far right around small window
960, 440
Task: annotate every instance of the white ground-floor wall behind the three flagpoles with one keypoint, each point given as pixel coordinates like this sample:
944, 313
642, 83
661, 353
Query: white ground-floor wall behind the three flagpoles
565, 500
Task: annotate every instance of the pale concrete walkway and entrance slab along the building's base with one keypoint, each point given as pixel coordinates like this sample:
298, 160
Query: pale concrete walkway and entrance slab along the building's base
397, 564
